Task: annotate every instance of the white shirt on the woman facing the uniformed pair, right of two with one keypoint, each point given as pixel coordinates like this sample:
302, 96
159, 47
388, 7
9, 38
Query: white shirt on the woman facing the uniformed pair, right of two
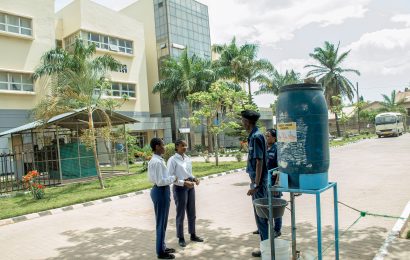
181, 167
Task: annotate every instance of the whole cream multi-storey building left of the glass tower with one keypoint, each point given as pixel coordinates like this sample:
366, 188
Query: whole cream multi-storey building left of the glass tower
28, 30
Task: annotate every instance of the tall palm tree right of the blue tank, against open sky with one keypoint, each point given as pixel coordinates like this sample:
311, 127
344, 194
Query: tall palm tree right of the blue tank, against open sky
331, 74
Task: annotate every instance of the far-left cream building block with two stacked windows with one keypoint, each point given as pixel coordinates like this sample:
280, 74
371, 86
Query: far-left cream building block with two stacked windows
26, 32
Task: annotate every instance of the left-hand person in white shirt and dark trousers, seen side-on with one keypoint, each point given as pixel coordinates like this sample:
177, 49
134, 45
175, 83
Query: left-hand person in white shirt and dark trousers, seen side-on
161, 196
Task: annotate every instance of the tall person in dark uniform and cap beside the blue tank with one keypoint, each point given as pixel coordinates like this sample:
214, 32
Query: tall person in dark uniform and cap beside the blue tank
256, 168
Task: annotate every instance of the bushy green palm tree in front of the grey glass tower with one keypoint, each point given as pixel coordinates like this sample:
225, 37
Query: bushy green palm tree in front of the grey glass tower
184, 76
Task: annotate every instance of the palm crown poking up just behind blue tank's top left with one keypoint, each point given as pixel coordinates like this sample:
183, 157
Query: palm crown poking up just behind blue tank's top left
276, 80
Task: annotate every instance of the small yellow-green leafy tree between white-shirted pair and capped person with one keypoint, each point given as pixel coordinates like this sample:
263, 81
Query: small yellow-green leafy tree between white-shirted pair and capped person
221, 106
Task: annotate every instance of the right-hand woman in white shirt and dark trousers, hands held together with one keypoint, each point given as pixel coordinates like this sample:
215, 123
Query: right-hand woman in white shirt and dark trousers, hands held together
180, 166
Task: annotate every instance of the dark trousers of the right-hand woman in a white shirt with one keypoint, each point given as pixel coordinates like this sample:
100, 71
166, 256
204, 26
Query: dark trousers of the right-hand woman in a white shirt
185, 202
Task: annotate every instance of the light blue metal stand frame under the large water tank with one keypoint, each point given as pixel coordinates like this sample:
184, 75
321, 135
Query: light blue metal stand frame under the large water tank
317, 193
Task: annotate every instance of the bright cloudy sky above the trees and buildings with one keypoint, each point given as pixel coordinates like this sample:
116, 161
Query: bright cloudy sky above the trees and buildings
376, 32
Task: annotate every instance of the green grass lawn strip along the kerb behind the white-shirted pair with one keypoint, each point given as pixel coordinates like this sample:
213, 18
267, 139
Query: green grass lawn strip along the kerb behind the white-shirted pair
82, 192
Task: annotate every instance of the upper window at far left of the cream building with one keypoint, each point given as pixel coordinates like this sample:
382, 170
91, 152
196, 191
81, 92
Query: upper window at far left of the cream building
15, 24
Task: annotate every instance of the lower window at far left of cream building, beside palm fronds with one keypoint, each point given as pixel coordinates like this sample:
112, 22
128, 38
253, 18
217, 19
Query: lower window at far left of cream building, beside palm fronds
16, 81
